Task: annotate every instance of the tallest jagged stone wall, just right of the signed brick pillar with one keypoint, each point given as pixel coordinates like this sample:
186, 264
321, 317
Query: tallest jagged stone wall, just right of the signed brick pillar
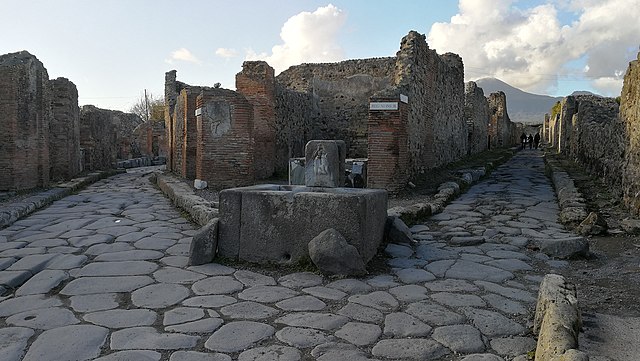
435, 87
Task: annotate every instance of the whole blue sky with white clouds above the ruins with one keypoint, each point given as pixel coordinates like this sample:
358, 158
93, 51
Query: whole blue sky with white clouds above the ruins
113, 50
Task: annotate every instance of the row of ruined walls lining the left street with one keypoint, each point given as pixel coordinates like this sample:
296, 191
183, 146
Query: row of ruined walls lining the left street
46, 137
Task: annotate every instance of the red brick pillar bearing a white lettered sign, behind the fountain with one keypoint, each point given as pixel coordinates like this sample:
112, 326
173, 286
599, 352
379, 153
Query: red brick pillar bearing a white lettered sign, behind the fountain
388, 154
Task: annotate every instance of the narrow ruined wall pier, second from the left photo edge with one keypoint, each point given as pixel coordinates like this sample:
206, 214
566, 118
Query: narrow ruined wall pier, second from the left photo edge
64, 137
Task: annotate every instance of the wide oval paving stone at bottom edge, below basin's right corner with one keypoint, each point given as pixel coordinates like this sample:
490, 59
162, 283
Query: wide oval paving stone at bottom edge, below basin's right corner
416, 349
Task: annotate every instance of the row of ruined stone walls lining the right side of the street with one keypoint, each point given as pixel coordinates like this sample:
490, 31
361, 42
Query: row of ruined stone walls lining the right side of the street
602, 136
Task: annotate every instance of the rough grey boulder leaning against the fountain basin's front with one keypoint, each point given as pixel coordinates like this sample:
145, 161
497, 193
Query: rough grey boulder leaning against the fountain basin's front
331, 253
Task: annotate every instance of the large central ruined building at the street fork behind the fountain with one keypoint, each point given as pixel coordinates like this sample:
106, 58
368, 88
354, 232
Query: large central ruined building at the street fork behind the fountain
438, 121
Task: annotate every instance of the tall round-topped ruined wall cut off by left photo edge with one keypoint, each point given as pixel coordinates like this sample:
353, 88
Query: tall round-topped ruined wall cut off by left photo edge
25, 103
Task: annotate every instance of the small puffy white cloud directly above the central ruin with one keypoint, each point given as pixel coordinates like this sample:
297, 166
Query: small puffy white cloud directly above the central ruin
307, 37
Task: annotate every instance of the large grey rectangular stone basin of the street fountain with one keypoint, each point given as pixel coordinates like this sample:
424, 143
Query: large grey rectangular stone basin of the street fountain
274, 223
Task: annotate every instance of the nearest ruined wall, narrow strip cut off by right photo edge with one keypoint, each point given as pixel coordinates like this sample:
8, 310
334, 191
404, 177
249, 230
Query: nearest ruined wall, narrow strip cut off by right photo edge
630, 115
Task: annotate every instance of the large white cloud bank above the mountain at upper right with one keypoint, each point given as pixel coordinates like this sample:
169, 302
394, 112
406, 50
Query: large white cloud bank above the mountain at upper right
528, 48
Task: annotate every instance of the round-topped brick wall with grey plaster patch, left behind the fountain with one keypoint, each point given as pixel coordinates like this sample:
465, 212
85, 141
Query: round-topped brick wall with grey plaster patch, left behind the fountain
225, 155
